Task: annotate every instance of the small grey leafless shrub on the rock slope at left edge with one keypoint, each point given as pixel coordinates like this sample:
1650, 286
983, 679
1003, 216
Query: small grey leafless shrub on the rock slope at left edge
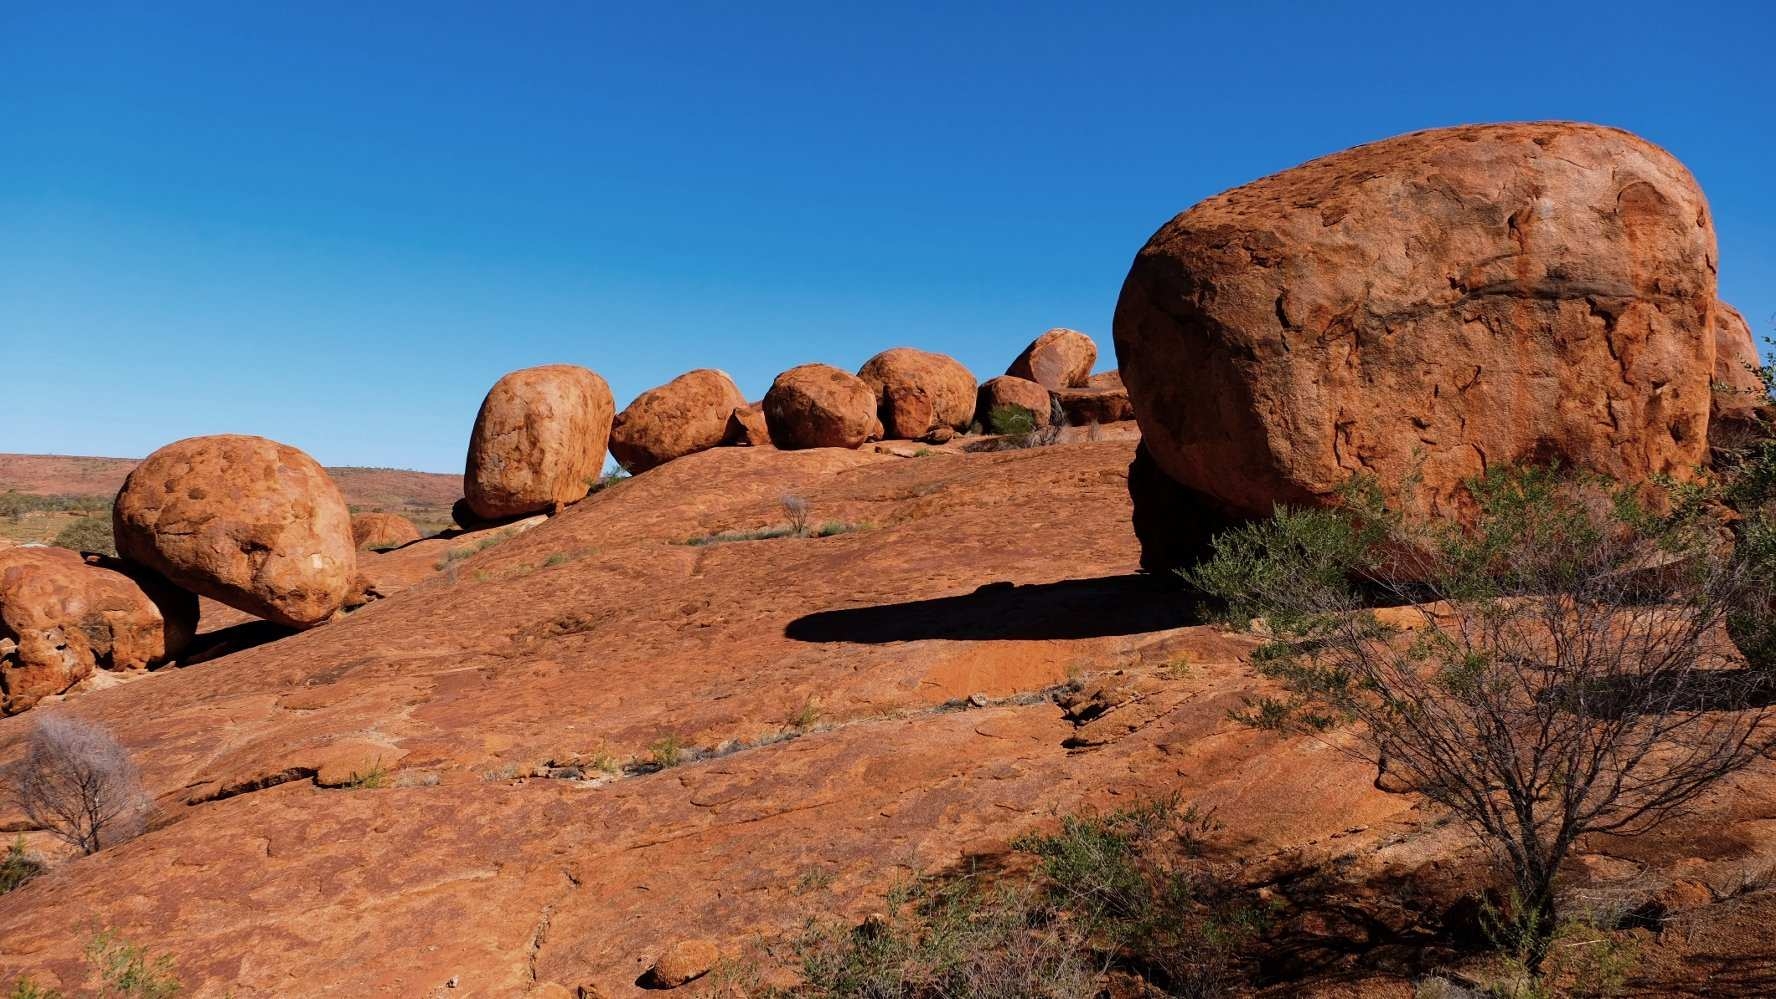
79, 785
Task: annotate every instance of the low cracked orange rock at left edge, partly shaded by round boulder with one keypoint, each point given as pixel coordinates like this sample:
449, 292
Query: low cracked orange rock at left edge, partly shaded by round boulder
63, 618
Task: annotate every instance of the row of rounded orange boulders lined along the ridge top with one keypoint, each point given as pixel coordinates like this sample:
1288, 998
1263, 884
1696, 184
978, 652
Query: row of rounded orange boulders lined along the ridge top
543, 435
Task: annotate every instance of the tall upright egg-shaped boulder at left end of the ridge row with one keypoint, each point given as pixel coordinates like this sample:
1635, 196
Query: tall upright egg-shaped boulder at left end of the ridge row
539, 442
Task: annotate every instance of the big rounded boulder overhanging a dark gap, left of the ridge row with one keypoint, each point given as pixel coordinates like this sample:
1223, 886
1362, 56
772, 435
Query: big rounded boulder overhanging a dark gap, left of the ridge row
246, 522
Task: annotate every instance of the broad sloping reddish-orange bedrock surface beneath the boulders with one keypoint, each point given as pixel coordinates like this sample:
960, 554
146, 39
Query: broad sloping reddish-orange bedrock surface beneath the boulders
491, 687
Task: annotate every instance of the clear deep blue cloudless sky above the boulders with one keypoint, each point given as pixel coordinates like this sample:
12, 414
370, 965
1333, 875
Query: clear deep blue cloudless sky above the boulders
337, 225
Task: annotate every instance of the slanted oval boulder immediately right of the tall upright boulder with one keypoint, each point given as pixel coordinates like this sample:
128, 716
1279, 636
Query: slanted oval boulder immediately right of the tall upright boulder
683, 417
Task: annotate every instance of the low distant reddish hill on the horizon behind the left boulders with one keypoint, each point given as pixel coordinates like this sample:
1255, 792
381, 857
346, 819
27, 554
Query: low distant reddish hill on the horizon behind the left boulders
365, 488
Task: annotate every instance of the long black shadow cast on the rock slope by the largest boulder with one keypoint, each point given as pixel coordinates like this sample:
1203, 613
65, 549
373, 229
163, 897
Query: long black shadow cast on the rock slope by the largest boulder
1068, 609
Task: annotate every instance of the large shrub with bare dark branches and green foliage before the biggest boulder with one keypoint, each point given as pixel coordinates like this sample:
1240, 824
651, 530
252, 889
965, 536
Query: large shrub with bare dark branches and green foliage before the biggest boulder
1550, 671
